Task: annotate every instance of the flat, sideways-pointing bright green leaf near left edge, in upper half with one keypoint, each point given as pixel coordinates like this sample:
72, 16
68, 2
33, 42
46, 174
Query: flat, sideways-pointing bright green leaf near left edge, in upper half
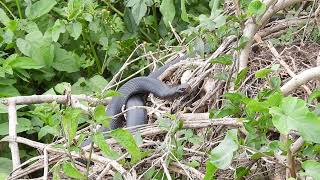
25, 63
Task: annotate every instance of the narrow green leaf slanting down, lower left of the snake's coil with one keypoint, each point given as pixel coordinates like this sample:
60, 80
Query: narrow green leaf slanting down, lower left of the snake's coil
106, 150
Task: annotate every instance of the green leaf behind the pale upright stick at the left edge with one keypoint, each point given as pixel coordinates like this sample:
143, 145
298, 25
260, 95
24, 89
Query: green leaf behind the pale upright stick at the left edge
23, 125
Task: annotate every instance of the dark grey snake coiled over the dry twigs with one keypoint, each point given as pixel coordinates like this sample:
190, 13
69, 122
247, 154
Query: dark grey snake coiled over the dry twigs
132, 95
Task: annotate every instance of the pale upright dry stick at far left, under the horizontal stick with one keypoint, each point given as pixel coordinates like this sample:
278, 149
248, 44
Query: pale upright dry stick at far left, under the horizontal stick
12, 113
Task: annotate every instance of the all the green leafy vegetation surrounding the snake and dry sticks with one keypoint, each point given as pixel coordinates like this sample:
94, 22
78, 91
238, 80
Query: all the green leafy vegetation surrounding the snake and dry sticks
47, 46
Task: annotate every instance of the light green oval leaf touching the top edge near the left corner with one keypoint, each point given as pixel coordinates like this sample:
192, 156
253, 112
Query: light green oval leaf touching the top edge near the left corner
40, 8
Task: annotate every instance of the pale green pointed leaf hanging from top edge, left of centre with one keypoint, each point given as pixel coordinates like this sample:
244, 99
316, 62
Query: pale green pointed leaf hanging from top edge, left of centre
138, 9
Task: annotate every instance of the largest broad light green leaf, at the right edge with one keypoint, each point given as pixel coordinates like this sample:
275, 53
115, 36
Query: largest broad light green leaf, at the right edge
293, 114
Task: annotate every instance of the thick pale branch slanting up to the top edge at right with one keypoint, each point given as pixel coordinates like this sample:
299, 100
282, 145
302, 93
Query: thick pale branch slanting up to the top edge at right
251, 27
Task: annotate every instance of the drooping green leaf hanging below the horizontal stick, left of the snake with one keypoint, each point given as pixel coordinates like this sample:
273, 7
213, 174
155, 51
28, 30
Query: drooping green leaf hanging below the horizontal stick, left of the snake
70, 123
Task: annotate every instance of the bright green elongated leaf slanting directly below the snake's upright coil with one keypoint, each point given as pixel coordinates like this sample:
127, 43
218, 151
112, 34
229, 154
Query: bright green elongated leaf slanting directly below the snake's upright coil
126, 140
